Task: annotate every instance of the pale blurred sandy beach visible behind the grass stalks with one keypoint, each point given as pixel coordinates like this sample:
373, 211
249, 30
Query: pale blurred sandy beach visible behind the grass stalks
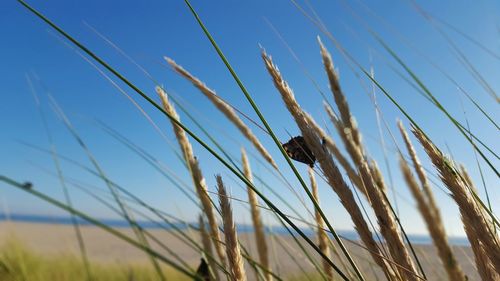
54, 239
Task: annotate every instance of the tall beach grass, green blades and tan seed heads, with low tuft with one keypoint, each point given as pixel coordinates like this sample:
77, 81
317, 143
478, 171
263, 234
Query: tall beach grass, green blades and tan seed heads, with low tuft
392, 256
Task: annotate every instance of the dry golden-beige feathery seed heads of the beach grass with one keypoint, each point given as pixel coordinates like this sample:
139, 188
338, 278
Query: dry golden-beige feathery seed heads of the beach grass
392, 256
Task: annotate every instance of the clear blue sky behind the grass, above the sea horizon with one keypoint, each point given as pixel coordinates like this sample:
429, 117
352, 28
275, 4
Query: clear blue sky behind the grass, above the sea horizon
149, 30
